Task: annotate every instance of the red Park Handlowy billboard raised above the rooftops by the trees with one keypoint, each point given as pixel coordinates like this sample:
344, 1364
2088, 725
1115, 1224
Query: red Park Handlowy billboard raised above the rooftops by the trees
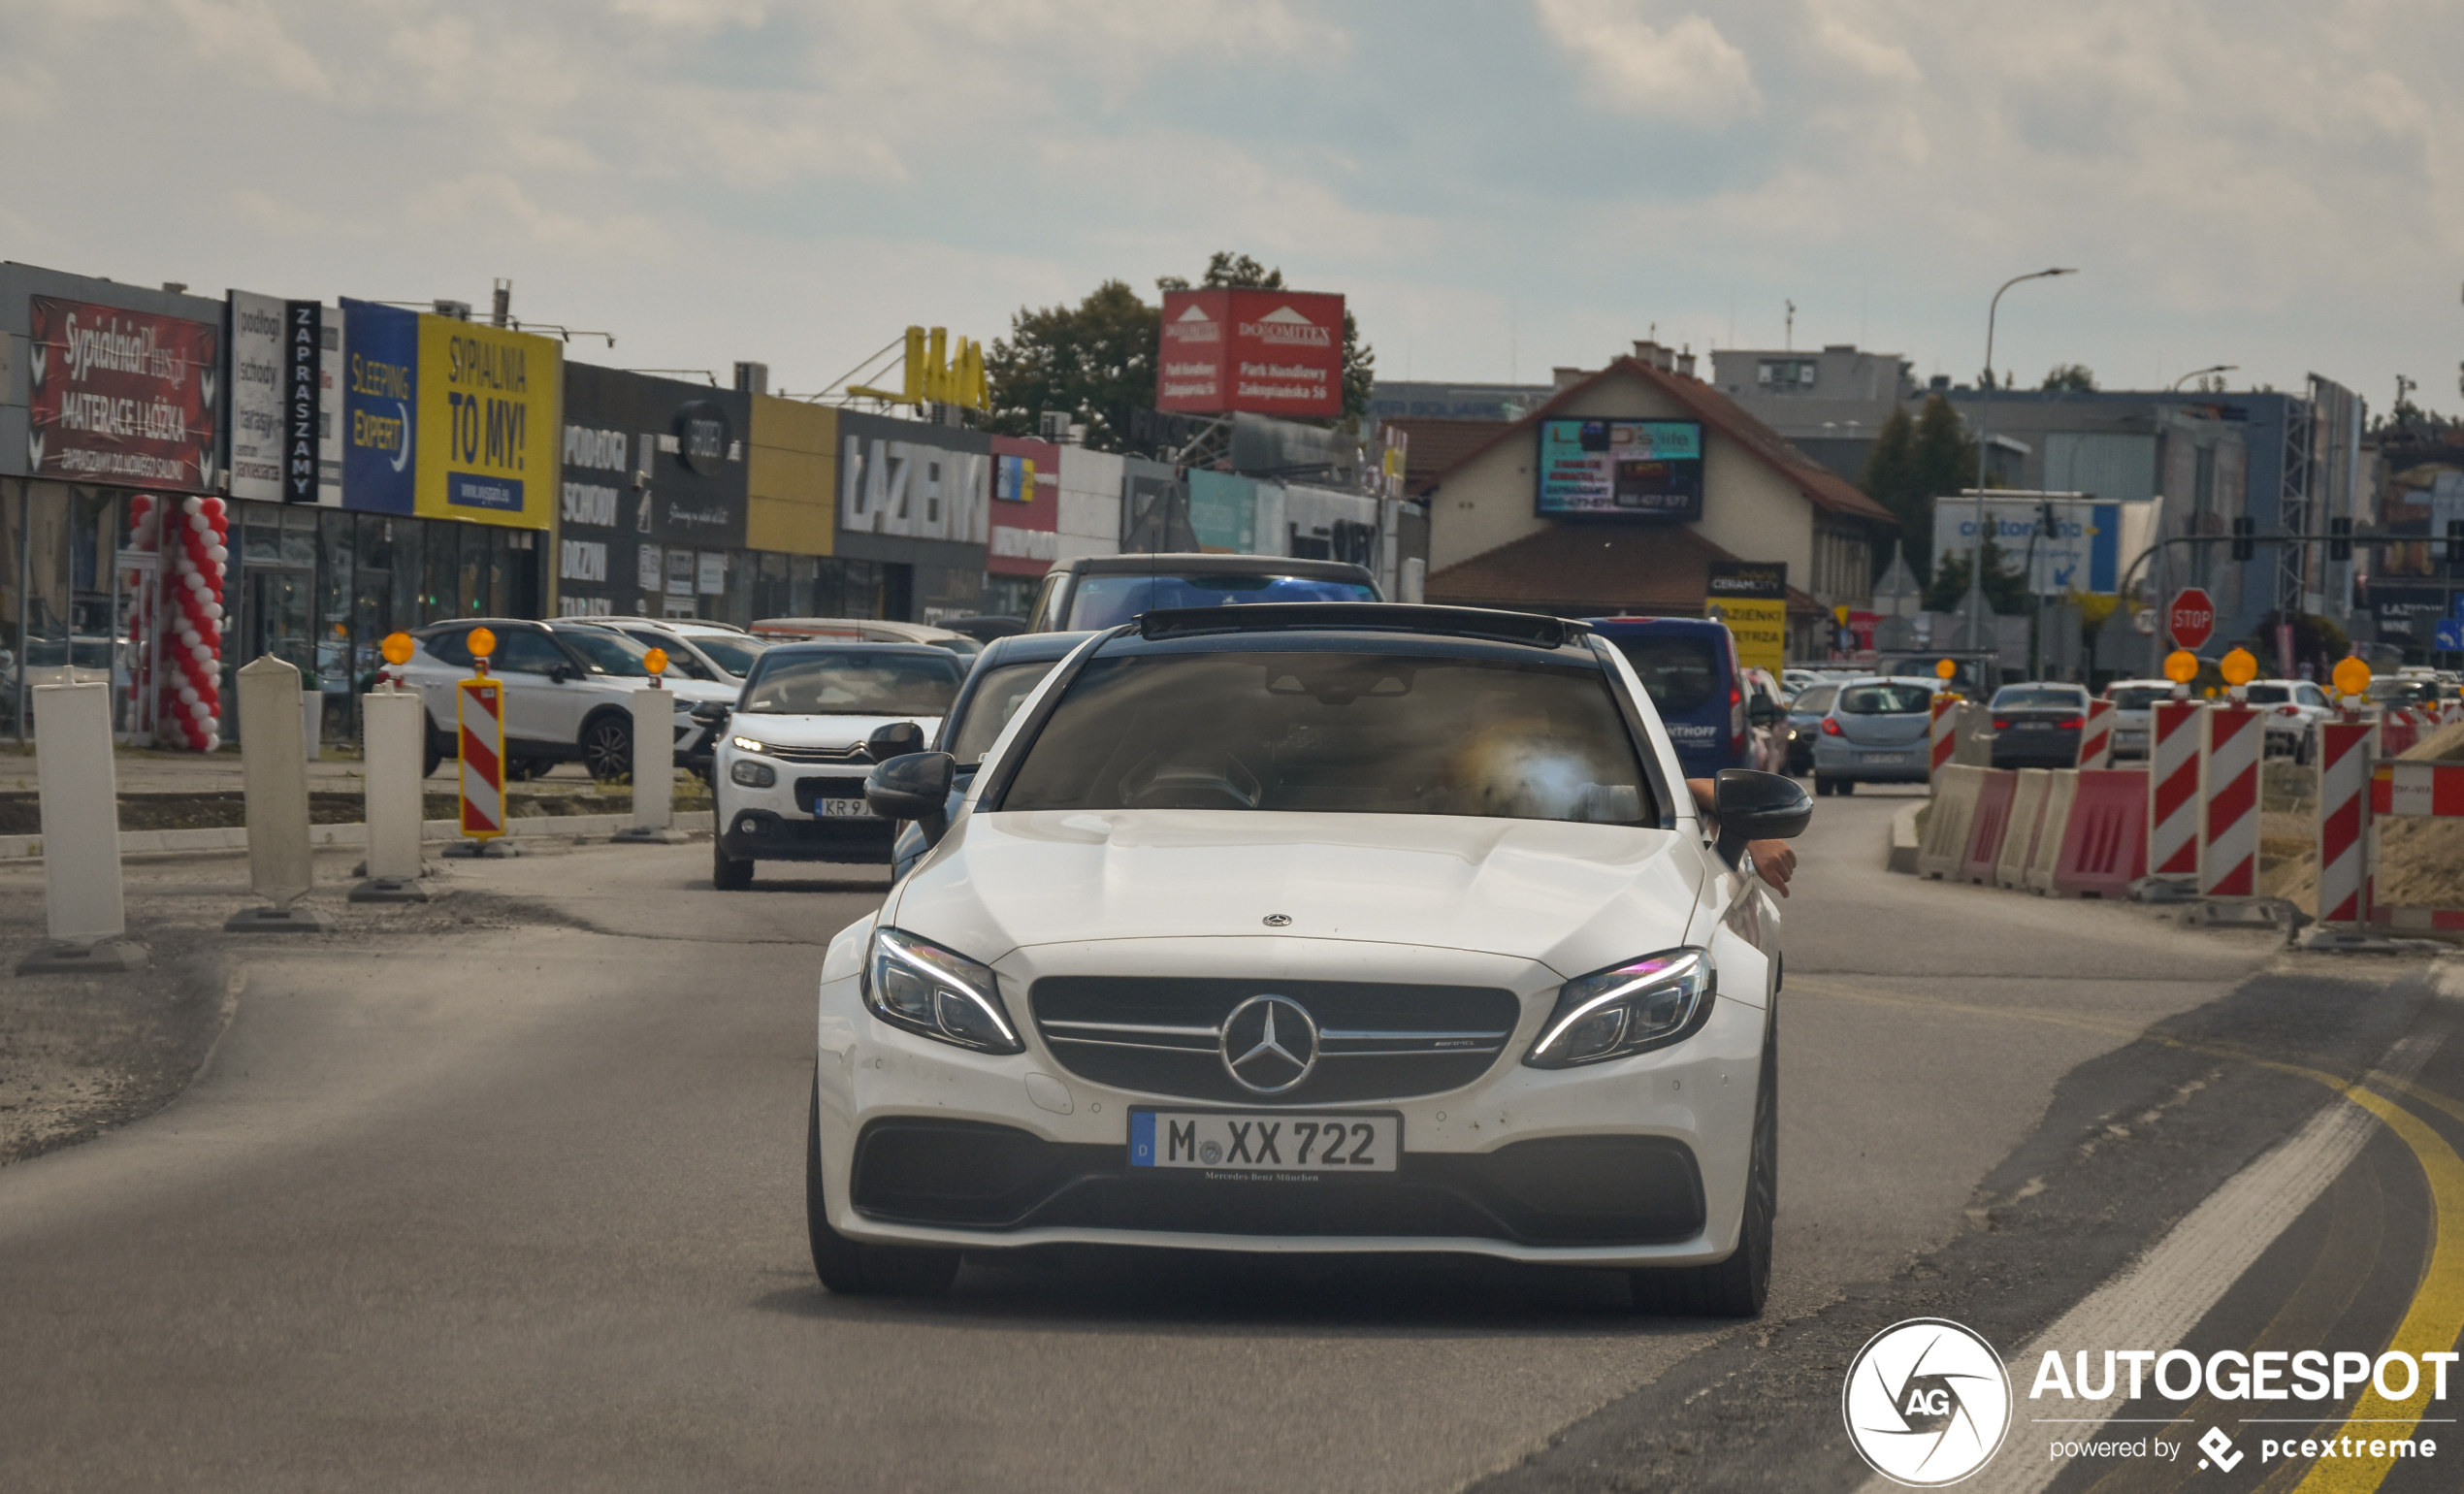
1258, 351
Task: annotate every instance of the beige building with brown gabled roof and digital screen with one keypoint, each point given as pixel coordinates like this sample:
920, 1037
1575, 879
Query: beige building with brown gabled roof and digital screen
1627, 487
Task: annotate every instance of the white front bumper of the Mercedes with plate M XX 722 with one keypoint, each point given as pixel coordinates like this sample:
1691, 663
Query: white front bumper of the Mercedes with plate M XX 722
1632, 1162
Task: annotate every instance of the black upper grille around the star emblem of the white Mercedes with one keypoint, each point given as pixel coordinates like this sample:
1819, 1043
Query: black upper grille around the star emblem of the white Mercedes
1379, 1042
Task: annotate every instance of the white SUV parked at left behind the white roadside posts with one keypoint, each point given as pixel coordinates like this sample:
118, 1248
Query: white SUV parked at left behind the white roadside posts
568, 694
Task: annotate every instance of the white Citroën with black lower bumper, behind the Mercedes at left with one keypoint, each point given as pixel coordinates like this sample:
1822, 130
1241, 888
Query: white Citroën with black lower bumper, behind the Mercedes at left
797, 746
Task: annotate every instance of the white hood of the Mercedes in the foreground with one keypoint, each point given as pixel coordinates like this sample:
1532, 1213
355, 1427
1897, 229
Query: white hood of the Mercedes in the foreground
1571, 896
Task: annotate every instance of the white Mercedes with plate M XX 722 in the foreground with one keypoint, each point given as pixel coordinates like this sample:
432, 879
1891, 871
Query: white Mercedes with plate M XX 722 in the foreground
1315, 928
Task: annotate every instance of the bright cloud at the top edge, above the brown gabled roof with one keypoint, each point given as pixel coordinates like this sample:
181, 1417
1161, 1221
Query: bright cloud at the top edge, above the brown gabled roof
1684, 70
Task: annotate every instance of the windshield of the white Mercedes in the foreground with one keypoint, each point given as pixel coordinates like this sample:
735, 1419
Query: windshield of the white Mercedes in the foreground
1339, 733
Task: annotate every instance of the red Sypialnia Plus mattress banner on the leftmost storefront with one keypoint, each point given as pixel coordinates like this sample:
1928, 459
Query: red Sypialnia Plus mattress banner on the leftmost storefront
122, 396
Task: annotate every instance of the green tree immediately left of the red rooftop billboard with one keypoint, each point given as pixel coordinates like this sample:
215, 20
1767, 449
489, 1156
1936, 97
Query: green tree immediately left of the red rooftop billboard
1095, 359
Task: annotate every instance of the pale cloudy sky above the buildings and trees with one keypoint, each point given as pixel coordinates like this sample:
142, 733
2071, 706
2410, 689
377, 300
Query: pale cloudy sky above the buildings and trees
1499, 186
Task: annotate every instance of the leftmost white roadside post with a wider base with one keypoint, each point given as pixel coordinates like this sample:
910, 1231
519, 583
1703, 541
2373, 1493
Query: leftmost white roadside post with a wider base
80, 800
